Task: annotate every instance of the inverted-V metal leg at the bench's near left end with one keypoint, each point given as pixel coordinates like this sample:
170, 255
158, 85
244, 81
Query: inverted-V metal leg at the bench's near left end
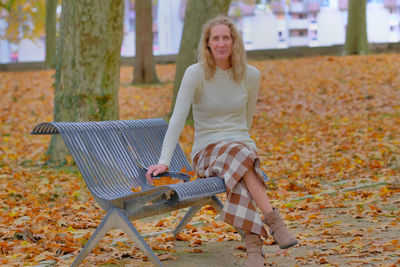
116, 218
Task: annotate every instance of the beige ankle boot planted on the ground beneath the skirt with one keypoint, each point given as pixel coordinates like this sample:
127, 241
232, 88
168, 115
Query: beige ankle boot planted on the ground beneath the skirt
255, 256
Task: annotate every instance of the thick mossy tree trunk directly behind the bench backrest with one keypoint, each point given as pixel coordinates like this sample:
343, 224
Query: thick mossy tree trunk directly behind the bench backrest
88, 65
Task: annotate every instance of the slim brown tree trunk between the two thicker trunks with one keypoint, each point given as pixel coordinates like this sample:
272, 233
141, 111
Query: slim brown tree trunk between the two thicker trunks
144, 68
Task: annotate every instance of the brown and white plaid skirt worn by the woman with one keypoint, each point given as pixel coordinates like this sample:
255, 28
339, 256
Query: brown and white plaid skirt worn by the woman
231, 161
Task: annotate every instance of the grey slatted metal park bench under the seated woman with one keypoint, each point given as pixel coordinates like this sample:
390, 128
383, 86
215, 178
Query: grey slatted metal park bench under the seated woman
111, 156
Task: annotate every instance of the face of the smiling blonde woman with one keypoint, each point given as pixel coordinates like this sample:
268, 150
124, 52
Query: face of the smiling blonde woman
220, 43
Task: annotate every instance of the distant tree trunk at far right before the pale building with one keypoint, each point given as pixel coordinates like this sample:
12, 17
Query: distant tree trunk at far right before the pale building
356, 32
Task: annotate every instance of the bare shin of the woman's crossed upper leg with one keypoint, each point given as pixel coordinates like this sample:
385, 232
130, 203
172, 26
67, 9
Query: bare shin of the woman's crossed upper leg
257, 191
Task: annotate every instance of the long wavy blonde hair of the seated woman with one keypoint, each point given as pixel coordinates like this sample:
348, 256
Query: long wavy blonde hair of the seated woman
238, 55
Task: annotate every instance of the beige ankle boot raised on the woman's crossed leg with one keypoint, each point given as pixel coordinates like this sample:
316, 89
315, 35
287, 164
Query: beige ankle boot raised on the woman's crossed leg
278, 230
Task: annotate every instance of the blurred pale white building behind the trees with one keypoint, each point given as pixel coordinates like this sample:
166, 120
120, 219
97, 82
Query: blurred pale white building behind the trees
264, 24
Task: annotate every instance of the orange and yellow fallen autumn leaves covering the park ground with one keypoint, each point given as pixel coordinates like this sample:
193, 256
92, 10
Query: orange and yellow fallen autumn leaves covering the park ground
325, 124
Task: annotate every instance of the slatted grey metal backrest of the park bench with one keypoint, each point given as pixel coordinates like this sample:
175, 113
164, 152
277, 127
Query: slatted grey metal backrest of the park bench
108, 153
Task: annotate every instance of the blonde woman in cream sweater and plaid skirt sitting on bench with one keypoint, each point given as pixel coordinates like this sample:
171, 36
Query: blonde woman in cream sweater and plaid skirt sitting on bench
222, 90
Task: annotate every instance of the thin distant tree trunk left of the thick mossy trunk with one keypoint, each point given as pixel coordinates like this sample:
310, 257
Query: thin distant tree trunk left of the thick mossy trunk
51, 34
